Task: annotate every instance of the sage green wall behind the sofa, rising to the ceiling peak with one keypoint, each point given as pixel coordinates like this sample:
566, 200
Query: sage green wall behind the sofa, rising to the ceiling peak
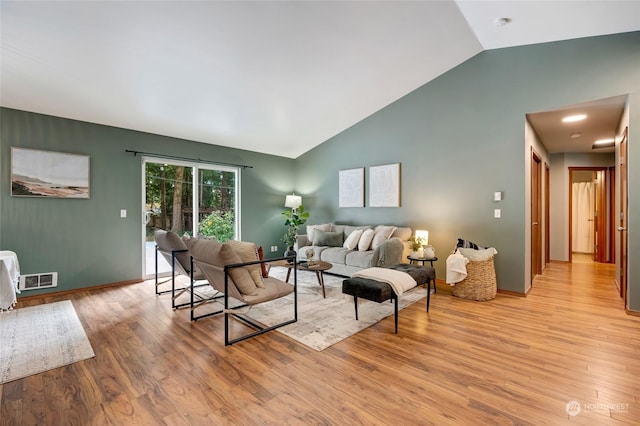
460, 137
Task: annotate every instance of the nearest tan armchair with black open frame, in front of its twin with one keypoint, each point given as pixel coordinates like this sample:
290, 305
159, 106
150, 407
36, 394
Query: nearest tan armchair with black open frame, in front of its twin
241, 283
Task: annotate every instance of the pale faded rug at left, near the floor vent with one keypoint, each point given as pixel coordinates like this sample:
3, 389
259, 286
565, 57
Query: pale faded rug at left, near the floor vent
40, 338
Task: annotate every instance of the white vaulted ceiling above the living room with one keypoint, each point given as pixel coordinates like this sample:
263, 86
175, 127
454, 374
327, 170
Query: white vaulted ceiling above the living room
266, 76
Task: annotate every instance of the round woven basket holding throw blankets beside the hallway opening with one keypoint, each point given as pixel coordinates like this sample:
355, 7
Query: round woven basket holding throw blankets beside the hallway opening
480, 282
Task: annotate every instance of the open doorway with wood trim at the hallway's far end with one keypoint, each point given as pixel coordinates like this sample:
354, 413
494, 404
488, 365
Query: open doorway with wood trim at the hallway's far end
590, 199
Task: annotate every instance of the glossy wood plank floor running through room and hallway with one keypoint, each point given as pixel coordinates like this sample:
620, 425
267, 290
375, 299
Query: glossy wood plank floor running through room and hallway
512, 360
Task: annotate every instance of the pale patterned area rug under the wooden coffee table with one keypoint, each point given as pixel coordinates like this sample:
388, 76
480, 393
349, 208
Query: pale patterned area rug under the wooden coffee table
325, 322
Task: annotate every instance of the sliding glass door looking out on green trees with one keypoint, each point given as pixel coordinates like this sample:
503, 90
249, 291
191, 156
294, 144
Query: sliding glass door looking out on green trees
169, 200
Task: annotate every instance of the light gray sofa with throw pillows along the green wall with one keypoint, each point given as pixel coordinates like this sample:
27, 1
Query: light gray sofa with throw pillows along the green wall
388, 252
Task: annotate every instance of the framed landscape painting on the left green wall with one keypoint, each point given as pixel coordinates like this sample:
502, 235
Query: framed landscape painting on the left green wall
36, 173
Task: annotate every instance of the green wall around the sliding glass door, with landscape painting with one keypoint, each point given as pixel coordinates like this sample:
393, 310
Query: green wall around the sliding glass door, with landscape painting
86, 241
